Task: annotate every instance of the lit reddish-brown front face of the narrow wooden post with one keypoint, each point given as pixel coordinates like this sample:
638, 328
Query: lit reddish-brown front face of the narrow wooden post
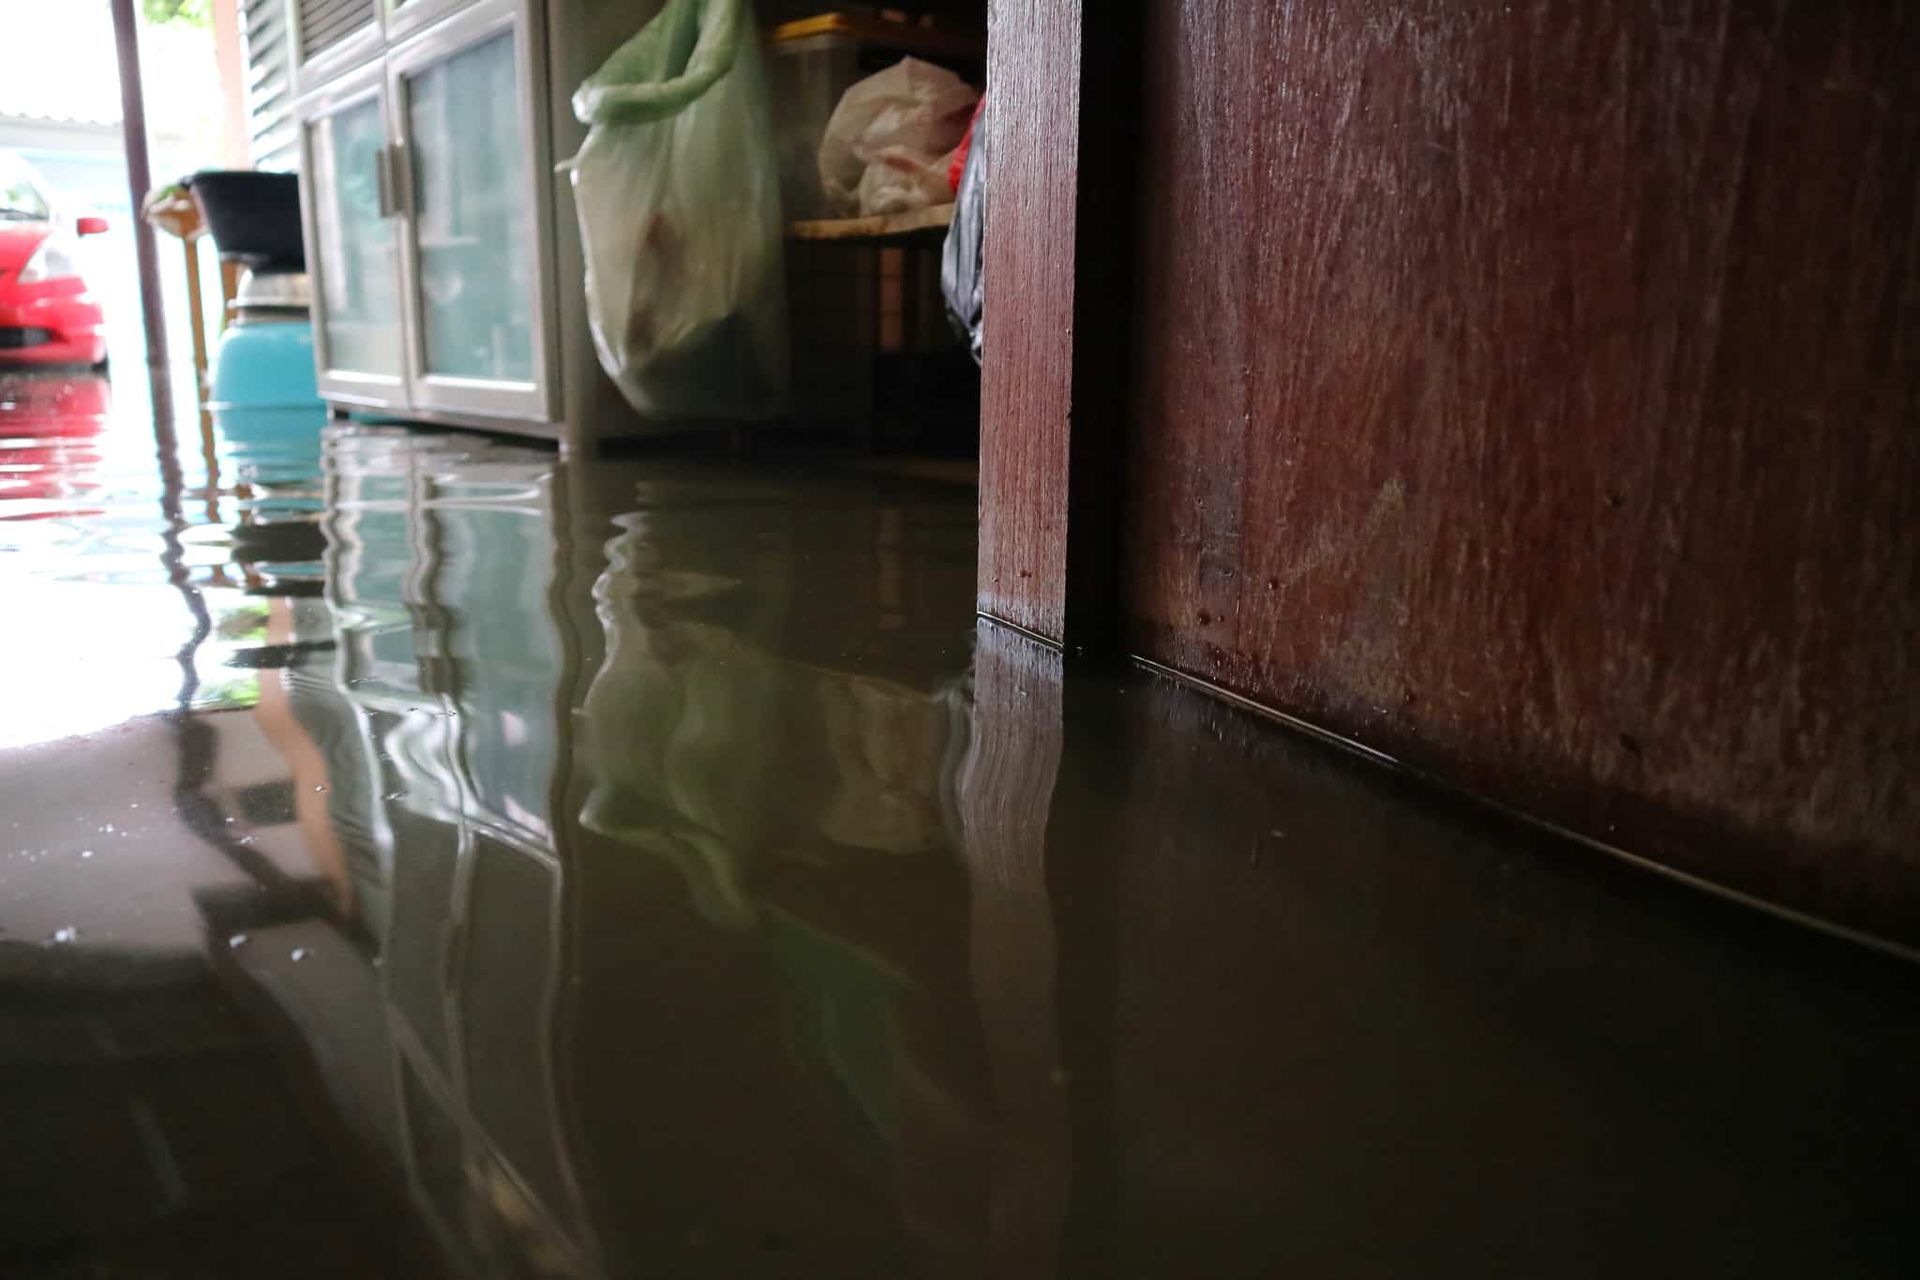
1032, 131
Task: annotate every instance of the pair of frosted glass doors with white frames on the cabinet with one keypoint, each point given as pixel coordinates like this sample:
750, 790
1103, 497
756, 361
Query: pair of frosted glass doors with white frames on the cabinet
429, 218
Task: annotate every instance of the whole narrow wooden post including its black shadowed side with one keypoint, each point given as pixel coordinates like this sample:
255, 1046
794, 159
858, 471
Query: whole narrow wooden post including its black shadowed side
1059, 131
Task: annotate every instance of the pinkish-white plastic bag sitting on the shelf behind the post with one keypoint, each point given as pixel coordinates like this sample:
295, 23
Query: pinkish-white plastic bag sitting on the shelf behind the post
890, 137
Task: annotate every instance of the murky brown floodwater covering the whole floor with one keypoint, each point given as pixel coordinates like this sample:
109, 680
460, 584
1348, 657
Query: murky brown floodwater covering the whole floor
421, 857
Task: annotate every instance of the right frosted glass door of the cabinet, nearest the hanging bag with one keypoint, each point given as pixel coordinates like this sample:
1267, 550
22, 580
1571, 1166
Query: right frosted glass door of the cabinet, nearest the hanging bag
475, 266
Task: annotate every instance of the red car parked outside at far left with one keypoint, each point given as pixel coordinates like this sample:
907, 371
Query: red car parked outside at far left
47, 314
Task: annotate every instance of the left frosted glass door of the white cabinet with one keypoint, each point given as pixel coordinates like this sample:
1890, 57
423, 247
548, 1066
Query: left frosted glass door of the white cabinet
358, 258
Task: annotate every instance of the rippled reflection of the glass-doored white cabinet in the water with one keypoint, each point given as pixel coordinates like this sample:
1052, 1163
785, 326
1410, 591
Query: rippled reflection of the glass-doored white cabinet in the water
452, 663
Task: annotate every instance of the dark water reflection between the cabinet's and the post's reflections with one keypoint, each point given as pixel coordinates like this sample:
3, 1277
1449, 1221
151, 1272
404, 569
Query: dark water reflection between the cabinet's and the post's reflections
771, 734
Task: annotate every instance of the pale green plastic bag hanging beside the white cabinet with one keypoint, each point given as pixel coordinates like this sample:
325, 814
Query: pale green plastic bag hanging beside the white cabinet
679, 197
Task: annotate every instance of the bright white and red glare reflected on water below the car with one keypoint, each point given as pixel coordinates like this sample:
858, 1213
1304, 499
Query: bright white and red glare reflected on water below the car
95, 557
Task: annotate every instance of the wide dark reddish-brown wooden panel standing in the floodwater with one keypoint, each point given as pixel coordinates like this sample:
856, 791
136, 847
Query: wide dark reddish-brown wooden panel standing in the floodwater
1531, 392
